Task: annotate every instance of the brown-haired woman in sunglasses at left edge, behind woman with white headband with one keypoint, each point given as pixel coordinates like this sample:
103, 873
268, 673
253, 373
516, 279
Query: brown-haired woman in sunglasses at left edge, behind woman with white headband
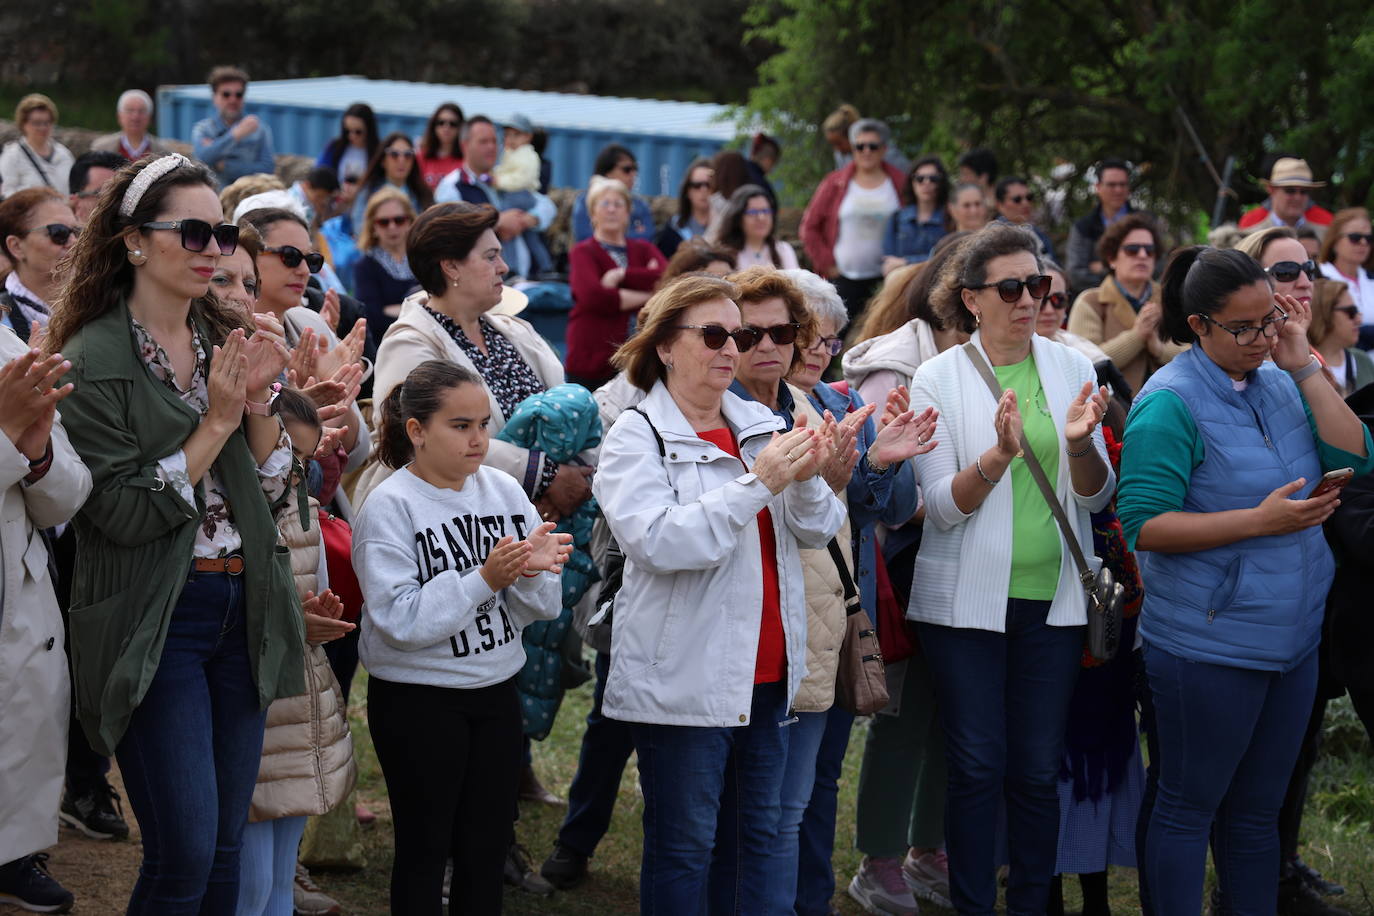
38, 230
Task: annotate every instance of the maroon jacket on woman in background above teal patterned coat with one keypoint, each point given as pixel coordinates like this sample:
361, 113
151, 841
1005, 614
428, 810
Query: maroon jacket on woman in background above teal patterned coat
598, 326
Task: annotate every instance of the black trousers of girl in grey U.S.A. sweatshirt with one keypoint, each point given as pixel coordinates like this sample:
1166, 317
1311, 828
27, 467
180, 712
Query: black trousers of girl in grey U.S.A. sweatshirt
451, 763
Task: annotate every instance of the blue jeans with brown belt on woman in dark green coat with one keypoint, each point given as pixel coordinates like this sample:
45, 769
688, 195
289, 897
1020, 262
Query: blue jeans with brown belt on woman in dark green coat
190, 756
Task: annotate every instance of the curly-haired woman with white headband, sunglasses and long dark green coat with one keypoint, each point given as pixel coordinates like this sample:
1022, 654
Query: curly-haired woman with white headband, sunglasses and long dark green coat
185, 619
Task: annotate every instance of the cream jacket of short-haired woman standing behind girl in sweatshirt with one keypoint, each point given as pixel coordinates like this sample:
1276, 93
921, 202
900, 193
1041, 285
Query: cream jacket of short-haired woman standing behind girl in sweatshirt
417, 337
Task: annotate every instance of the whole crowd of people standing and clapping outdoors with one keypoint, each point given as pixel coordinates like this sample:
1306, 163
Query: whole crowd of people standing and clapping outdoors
259, 436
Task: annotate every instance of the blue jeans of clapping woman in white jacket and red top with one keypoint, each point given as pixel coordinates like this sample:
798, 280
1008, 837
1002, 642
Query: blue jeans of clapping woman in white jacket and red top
706, 788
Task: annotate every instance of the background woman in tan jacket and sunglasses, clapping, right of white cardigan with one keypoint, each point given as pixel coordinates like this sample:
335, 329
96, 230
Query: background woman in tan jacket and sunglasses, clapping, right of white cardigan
1123, 315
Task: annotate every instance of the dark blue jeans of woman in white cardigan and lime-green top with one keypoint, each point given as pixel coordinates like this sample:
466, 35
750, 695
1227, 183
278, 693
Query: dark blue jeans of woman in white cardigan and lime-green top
1005, 707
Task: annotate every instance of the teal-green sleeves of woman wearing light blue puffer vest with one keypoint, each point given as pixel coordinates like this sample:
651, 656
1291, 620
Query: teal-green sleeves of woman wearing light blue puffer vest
1166, 447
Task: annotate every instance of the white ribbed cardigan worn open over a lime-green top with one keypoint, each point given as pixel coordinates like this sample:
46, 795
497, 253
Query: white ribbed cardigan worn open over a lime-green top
964, 569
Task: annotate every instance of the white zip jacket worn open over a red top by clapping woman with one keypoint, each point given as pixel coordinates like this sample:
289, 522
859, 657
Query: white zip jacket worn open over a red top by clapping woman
686, 635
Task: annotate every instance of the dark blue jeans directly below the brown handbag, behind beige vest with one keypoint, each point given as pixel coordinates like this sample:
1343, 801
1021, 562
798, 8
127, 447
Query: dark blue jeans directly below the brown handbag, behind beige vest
817, 840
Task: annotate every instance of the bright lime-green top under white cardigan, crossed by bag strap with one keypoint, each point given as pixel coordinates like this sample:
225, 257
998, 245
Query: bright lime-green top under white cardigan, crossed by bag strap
1035, 538
